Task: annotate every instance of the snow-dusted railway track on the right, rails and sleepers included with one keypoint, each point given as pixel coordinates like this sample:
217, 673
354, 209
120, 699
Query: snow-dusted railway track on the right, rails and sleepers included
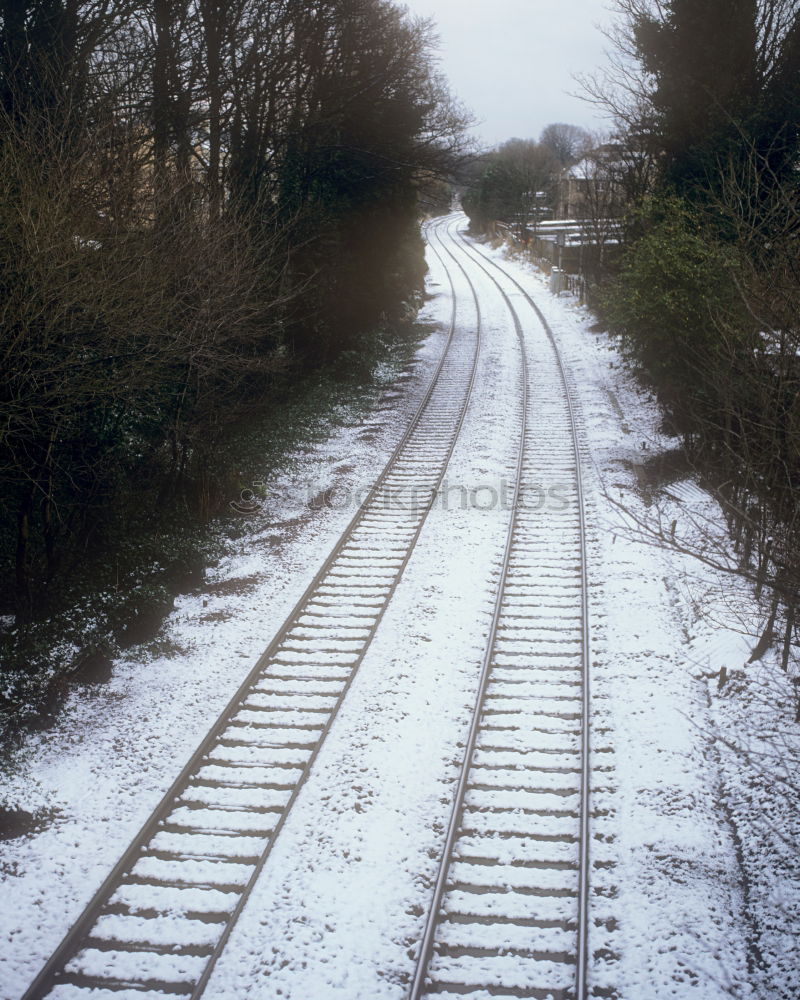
509, 912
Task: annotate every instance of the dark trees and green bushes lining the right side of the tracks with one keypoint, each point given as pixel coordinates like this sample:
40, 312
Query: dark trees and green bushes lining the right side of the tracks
708, 298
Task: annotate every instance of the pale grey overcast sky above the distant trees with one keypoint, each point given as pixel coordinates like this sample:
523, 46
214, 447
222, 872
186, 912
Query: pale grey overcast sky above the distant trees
511, 61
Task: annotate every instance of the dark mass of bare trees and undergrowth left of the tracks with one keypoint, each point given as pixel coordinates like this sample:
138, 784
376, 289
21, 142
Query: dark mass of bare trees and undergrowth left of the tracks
195, 196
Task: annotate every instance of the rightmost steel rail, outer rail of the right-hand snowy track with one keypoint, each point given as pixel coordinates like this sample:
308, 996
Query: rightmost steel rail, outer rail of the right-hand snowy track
582, 968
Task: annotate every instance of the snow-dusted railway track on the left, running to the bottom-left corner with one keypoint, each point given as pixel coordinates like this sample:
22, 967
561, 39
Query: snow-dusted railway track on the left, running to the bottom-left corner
160, 921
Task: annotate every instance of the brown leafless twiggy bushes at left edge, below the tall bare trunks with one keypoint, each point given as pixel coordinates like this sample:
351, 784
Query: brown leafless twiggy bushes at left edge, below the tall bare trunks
119, 366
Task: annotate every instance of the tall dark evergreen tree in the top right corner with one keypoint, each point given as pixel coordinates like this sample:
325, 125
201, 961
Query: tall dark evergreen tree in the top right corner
722, 81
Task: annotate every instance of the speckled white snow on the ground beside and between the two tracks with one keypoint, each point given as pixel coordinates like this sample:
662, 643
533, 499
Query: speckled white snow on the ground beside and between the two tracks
705, 882
